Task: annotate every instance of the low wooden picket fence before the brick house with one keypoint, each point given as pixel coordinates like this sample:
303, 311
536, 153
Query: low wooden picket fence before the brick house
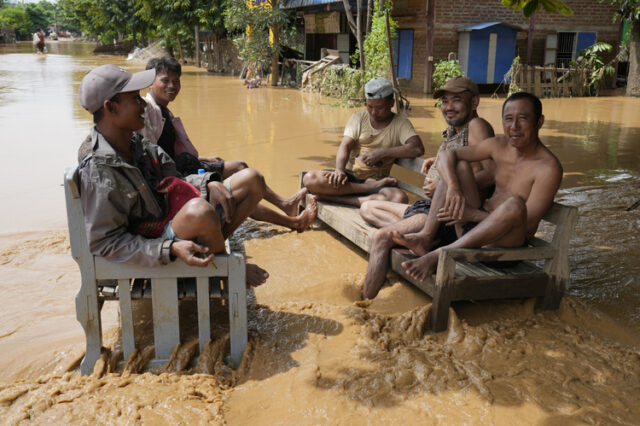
551, 82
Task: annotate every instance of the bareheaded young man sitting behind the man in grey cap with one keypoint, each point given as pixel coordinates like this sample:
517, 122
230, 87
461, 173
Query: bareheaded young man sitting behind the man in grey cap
166, 130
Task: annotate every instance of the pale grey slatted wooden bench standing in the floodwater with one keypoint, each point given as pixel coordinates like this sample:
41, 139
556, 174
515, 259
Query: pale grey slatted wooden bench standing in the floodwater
164, 297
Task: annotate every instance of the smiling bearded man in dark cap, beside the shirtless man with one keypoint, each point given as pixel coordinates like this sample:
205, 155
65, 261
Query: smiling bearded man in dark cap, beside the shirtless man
459, 107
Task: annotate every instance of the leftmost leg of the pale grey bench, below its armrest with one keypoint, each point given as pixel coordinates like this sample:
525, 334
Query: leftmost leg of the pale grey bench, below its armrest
88, 315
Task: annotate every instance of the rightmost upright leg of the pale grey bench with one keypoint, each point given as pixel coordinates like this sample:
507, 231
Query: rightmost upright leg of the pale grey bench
237, 307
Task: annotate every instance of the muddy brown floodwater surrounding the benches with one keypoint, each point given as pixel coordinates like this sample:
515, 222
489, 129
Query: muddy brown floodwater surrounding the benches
314, 356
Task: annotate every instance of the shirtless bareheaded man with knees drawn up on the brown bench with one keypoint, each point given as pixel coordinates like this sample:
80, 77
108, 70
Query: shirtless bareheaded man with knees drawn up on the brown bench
527, 177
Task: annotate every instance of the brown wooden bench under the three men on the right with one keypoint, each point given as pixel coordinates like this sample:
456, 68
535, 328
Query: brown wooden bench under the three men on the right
539, 270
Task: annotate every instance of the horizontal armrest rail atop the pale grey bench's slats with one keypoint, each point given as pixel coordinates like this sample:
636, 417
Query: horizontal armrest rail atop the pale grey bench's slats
106, 269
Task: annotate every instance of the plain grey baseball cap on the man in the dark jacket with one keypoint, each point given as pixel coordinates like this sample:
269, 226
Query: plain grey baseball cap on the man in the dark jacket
104, 82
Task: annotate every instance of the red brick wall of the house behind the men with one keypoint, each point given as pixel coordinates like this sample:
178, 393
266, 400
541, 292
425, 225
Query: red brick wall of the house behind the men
589, 15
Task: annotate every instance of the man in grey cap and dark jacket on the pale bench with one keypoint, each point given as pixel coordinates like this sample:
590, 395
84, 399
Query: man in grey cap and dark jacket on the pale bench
137, 207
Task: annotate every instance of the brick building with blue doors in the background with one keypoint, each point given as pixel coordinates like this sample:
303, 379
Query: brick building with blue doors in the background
484, 35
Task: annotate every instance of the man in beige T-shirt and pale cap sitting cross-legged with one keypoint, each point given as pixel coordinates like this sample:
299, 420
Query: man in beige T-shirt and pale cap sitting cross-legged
373, 139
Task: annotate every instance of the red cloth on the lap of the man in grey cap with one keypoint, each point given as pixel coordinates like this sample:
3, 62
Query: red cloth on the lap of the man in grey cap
177, 192
